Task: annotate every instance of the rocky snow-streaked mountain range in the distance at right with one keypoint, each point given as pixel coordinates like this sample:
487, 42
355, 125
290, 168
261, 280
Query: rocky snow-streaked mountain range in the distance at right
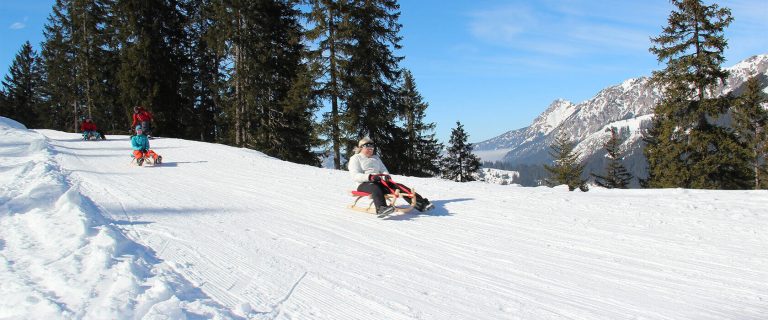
627, 106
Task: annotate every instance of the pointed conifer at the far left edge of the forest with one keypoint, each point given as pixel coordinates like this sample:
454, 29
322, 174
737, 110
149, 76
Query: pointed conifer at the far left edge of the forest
21, 88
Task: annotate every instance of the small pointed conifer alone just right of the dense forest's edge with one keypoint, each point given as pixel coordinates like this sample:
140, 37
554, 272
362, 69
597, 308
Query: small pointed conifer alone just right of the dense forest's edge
460, 163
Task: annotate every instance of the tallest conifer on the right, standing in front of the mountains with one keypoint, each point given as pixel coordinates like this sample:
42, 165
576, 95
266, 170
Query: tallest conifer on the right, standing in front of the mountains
686, 148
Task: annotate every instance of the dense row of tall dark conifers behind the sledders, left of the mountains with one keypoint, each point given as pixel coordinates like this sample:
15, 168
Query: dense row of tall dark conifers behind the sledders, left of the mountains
248, 73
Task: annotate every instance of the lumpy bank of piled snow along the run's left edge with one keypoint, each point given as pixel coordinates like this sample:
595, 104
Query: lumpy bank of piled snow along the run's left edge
59, 258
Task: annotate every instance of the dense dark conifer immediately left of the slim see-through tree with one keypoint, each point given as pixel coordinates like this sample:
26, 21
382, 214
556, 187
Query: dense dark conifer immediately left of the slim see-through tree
279, 72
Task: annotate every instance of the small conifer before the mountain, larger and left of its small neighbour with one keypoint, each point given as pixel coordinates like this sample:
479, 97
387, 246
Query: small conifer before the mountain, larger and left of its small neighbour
566, 169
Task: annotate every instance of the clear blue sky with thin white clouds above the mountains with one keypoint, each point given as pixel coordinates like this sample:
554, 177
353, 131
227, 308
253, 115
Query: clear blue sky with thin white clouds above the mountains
495, 65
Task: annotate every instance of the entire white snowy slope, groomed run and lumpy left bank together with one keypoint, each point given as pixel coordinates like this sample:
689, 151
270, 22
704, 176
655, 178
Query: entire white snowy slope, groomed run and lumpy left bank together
221, 232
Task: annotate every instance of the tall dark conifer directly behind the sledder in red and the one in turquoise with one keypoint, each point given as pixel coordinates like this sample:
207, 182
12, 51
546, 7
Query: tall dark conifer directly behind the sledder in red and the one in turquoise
150, 34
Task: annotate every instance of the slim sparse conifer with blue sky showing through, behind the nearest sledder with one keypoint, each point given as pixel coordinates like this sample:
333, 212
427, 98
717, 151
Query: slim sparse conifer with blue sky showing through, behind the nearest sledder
330, 31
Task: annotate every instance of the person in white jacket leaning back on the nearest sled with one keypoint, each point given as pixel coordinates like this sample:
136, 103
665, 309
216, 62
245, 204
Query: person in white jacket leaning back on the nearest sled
367, 169
